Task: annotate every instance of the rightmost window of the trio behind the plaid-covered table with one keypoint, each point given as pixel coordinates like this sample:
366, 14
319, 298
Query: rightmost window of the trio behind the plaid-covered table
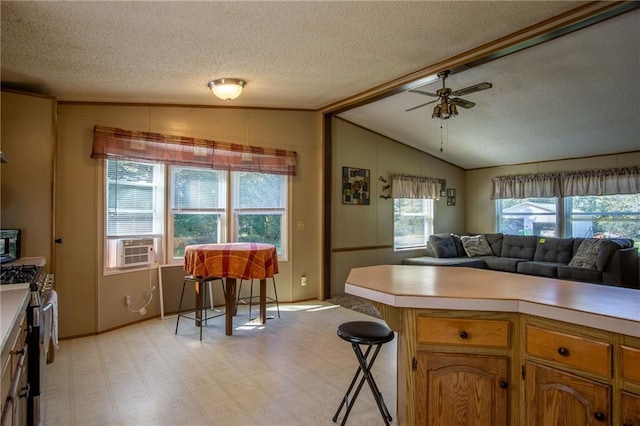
259, 206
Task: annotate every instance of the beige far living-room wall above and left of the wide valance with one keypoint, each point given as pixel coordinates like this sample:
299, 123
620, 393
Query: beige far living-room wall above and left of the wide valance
481, 209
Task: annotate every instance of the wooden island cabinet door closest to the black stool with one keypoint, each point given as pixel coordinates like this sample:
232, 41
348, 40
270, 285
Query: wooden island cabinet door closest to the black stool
460, 389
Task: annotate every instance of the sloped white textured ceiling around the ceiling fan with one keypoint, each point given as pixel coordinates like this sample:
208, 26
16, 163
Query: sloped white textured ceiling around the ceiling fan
575, 96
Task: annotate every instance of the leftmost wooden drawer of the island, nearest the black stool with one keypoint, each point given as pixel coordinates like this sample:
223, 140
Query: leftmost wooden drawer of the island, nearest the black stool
468, 332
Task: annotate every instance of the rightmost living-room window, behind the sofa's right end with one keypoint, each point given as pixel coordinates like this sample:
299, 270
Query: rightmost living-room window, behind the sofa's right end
605, 216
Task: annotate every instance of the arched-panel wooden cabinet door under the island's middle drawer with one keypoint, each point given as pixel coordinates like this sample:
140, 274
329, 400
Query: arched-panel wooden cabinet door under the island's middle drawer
557, 398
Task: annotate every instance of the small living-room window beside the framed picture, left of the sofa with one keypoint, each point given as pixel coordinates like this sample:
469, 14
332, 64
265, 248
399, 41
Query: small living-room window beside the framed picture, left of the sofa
412, 222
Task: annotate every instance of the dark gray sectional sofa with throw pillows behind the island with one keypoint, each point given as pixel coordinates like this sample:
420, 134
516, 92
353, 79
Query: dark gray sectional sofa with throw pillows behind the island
601, 261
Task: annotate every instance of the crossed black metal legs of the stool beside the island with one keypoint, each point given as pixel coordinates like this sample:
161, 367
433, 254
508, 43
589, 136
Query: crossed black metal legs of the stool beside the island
365, 368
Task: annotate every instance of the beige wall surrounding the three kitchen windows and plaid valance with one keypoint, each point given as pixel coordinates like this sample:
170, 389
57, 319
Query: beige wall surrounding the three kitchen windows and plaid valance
91, 301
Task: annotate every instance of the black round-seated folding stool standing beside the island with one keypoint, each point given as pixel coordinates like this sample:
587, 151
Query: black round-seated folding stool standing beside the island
370, 334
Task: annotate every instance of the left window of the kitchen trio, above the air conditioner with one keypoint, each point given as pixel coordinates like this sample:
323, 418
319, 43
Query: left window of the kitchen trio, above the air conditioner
134, 204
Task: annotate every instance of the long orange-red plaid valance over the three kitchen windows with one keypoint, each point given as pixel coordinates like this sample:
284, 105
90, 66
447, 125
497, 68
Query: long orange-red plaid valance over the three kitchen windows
109, 142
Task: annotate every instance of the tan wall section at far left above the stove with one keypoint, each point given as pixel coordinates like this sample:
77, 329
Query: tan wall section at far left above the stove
27, 190
